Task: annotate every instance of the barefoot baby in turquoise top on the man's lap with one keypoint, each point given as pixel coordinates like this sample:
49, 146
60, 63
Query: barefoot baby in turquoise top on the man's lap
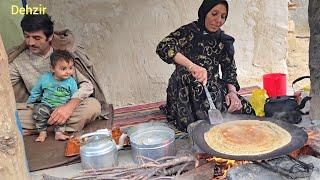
54, 89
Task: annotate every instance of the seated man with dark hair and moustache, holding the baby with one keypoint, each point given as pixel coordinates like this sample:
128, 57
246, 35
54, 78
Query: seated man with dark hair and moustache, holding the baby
34, 61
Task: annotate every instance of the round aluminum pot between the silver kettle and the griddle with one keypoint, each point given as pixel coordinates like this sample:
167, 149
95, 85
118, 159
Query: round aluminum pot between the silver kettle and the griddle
152, 141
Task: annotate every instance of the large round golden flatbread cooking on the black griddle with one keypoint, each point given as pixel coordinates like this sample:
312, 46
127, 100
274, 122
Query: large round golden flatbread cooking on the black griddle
247, 137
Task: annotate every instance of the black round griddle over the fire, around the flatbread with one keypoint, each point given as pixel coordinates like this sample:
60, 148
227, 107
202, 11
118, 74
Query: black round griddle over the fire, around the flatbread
298, 139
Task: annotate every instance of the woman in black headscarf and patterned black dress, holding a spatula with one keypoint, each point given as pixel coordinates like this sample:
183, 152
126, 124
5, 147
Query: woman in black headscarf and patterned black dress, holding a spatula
197, 49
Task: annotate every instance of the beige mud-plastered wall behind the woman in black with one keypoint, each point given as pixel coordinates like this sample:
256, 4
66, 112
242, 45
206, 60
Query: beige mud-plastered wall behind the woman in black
121, 36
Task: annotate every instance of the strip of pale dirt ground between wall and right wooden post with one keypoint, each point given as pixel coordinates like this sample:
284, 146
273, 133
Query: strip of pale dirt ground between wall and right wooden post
298, 58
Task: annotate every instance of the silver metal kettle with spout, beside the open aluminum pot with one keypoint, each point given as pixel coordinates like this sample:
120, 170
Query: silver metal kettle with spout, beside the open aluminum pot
98, 150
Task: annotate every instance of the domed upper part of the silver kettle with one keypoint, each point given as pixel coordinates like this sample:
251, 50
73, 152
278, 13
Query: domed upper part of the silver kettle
97, 146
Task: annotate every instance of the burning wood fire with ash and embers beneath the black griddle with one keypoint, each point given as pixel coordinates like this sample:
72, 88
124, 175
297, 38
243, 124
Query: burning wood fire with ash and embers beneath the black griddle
288, 165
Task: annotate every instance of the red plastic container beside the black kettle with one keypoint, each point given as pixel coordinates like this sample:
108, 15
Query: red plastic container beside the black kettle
275, 84
